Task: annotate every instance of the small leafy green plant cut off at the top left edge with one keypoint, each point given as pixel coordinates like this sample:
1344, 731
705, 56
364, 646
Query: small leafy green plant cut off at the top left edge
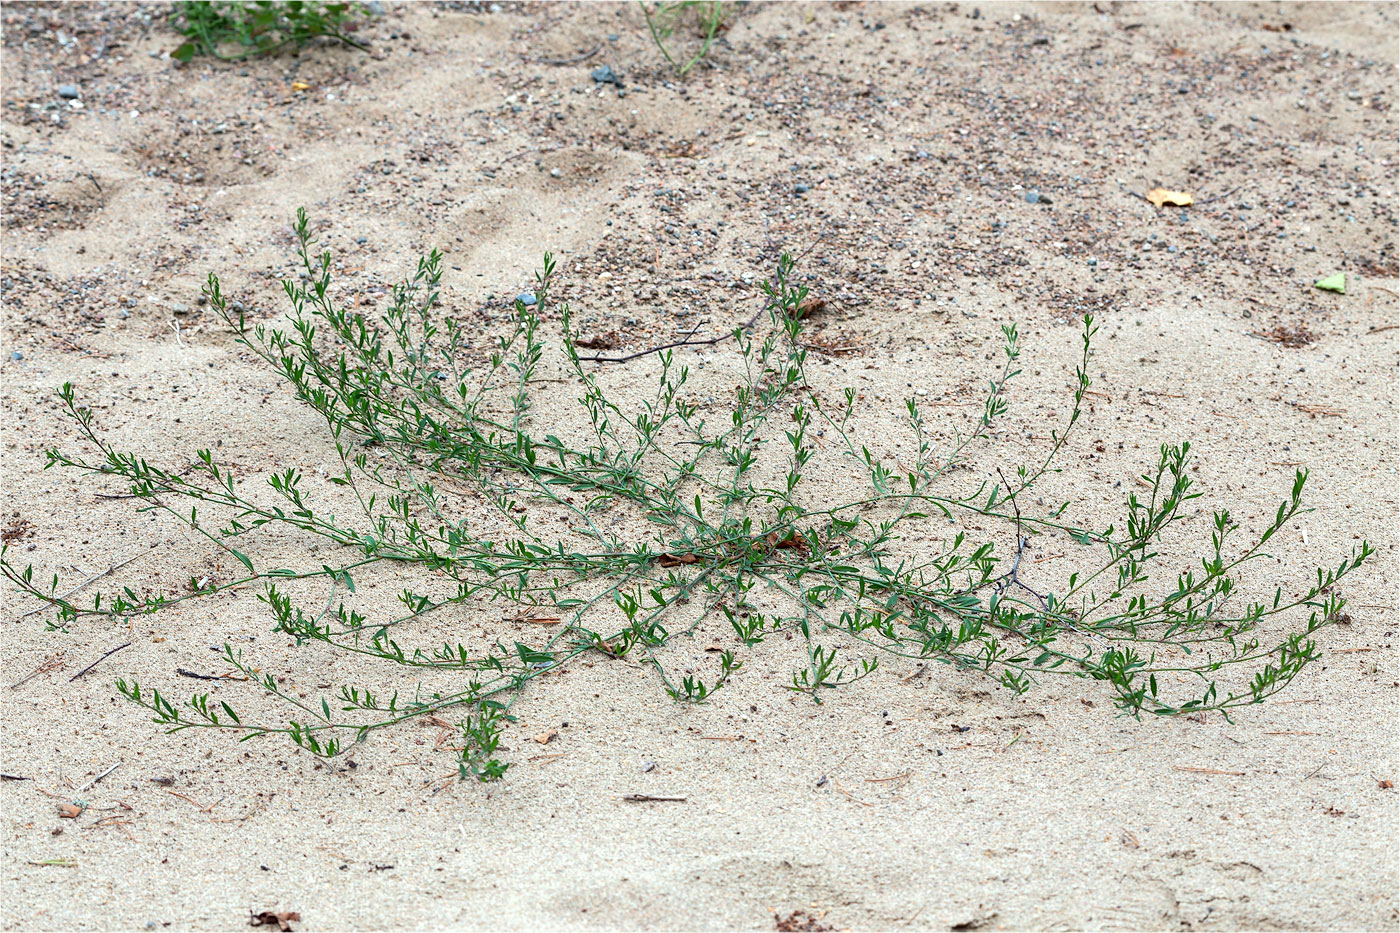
236, 30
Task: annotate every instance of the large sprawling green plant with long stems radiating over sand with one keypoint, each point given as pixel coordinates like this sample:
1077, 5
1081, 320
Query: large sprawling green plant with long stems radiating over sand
650, 529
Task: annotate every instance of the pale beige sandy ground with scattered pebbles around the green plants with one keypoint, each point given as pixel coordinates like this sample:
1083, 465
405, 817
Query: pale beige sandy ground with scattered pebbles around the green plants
915, 132
